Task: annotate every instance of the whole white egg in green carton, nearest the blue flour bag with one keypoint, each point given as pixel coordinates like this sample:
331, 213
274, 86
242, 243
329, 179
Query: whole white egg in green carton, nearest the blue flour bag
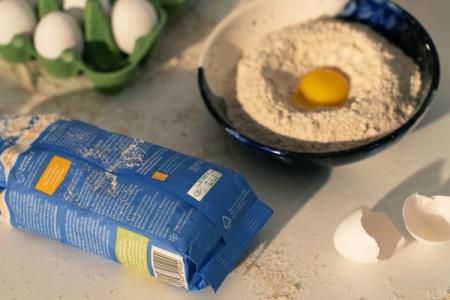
55, 33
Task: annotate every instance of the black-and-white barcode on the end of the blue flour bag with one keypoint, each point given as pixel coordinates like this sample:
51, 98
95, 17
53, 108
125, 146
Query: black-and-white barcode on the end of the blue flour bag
168, 267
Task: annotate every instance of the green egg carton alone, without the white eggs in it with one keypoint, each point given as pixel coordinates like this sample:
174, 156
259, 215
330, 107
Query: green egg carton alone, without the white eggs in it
102, 62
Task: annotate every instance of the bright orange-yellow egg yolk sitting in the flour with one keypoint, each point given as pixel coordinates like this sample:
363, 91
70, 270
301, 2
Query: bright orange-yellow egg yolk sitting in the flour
322, 87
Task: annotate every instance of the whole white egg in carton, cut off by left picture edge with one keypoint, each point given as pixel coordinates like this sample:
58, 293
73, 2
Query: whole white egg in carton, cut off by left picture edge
16, 17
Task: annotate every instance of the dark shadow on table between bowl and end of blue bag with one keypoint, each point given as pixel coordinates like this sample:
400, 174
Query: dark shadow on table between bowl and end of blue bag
286, 189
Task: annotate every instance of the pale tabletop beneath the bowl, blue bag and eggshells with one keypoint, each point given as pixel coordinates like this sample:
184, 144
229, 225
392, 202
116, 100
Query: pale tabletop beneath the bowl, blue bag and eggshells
164, 107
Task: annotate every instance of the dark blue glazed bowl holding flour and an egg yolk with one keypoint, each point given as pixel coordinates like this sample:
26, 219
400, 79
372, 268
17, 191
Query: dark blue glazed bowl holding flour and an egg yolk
255, 62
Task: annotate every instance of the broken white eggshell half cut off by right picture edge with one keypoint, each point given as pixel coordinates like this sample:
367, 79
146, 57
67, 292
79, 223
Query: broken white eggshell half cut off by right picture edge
427, 219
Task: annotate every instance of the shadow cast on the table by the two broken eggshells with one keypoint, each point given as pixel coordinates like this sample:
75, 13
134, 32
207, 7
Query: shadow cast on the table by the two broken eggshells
426, 181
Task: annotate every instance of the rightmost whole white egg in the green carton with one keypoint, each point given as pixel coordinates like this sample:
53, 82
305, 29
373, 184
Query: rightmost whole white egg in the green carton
131, 20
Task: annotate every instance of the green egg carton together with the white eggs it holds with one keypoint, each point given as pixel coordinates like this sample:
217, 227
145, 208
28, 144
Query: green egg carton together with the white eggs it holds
83, 36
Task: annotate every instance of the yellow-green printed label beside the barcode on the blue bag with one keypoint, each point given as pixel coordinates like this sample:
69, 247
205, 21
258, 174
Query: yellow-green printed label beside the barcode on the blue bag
131, 249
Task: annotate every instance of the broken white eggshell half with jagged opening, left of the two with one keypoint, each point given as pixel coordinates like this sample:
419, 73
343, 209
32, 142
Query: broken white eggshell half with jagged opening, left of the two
367, 237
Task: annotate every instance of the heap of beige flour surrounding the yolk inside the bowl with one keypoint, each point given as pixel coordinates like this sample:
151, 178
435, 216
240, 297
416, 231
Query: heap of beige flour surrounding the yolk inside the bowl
384, 87
